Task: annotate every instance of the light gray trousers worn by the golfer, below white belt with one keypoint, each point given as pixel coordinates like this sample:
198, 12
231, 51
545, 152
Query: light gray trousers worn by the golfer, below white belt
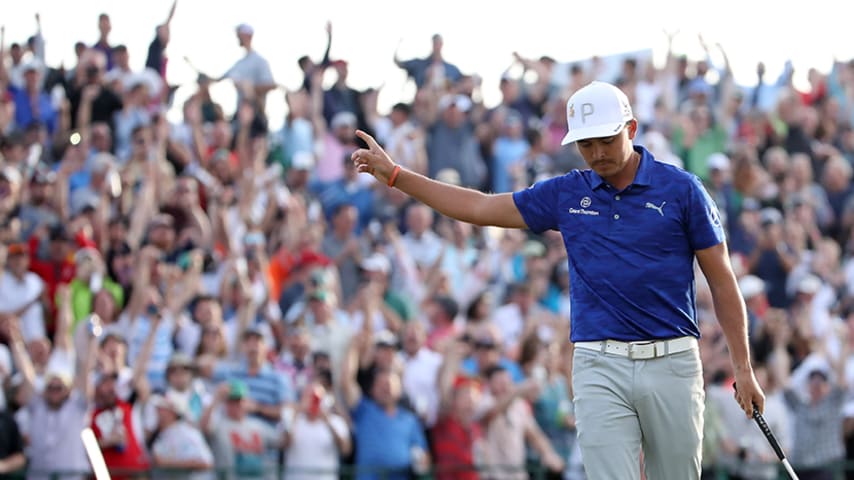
622, 405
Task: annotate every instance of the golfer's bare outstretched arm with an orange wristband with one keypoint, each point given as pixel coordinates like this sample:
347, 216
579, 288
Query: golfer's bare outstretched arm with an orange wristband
464, 204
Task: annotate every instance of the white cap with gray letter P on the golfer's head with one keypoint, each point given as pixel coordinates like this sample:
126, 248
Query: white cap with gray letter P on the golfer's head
595, 111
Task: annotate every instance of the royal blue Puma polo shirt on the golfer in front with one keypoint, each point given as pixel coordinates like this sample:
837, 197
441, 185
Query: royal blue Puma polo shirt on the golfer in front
631, 252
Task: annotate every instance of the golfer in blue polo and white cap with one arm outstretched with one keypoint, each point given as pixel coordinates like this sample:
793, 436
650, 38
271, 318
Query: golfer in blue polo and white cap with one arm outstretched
633, 228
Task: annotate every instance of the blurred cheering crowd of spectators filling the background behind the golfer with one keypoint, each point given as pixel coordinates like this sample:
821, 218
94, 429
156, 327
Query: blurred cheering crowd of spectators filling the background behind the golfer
220, 299
